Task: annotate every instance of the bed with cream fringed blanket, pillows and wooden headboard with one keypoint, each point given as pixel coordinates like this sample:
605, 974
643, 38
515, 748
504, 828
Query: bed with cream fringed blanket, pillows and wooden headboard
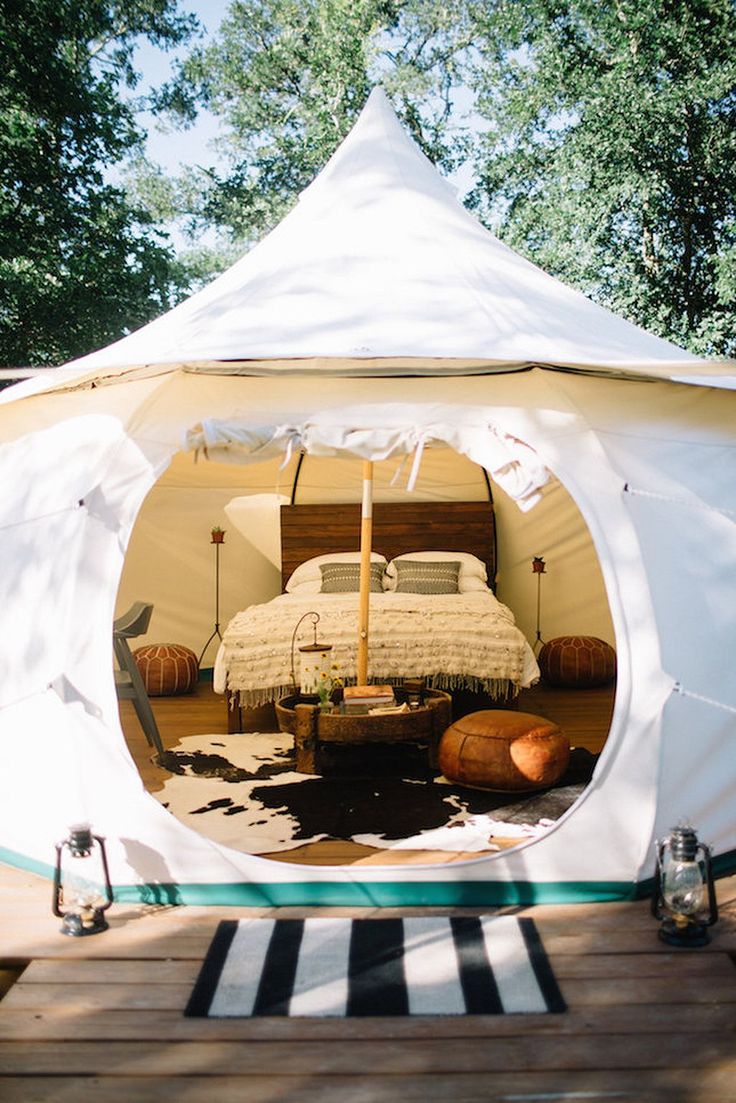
458, 639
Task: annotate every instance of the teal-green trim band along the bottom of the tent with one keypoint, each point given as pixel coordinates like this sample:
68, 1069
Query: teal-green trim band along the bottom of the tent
377, 894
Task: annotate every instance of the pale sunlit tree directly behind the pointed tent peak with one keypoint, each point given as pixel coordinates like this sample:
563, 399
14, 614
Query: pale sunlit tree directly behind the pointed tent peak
289, 79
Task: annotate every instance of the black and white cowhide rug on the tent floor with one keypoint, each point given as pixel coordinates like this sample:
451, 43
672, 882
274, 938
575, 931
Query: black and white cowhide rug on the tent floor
243, 791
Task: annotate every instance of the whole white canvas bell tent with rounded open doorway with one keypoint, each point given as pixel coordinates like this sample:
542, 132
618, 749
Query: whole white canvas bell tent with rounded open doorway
379, 317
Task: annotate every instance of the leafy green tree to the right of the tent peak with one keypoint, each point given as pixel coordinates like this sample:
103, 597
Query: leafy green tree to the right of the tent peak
610, 154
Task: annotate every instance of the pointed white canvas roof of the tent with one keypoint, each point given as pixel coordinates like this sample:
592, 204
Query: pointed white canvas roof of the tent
379, 264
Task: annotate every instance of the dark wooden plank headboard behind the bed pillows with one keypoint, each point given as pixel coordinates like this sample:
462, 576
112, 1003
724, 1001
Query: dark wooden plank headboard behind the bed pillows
398, 528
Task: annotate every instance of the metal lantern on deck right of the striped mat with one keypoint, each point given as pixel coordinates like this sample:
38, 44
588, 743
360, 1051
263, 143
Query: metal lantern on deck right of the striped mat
684, 885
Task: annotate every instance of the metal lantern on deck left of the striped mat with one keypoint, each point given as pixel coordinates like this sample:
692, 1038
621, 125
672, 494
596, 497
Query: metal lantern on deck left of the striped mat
81, 870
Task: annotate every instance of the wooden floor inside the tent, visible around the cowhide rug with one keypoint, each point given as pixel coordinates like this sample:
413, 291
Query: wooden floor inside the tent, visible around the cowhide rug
584, 715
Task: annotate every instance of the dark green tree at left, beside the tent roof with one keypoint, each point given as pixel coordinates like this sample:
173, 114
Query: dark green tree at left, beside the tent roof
79, 264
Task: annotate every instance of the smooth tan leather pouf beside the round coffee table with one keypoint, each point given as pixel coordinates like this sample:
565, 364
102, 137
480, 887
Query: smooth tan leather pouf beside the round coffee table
504, 751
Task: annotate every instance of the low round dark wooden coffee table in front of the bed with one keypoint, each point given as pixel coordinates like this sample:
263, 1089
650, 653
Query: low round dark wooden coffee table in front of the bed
312, 727
